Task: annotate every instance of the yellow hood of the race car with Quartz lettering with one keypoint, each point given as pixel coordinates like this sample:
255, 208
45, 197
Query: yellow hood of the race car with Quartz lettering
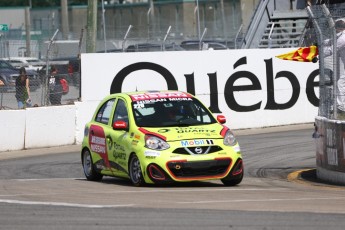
211, 131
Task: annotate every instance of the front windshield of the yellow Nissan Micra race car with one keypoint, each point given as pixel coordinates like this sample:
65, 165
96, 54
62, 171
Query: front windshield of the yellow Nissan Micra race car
167, 112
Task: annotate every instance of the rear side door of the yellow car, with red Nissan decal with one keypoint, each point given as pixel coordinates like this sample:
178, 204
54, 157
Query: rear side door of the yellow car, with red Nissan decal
99, 129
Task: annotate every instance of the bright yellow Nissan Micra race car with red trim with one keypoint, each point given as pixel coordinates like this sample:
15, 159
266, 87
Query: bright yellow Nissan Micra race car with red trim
157, 137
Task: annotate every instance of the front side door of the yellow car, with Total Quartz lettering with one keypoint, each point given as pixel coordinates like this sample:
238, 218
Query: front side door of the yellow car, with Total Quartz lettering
118, 141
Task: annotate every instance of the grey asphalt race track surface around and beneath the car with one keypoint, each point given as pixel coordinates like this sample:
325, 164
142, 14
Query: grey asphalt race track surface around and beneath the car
46, 189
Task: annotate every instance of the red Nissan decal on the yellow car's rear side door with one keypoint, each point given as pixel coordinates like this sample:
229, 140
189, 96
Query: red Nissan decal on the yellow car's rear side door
97, 142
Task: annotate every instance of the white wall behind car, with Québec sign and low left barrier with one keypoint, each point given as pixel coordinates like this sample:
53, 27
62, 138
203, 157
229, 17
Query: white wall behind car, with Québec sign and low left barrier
64, 125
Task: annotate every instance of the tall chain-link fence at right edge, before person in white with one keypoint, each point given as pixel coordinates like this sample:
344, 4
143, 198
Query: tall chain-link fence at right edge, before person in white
327, 30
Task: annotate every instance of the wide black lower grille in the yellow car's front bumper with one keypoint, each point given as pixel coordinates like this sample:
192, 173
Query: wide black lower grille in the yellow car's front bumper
199, 169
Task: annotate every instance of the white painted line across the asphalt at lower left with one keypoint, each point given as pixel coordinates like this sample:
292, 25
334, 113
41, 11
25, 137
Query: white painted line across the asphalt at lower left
63, 204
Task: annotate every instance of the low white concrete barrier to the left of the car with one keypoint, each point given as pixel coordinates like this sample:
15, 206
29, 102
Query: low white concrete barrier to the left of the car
44, 126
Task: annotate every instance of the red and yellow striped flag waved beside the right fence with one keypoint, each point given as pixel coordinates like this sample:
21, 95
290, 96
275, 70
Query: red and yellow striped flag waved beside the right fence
303, 54
